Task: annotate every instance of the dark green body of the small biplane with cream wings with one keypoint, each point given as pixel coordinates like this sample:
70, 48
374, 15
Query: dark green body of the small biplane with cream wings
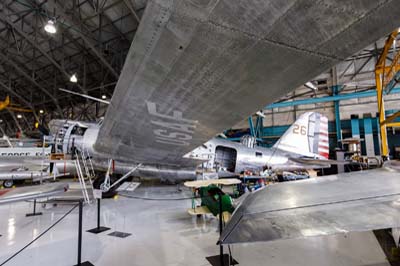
210, 198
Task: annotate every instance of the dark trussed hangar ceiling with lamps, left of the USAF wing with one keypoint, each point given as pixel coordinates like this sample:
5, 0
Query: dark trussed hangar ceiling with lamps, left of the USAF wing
92, 40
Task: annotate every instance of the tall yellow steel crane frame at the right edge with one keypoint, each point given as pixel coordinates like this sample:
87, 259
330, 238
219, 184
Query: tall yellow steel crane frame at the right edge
385, 76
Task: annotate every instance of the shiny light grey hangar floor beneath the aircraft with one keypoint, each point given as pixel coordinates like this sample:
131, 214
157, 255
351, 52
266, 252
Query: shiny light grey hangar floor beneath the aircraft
162, 234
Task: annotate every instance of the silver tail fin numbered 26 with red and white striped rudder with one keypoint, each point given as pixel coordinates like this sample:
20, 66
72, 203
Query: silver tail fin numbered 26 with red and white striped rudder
308, 136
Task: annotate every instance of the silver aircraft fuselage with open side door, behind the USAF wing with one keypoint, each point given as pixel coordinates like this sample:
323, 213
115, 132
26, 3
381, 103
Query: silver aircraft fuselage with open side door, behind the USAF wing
215, 155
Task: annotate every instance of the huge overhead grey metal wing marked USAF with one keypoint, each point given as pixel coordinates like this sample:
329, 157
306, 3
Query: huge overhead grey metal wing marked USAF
198, 67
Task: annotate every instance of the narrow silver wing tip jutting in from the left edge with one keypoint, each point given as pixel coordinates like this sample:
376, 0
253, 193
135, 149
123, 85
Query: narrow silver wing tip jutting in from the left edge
31, 192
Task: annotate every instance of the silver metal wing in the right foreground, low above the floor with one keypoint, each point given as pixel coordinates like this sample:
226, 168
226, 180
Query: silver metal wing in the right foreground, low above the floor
356, 201
